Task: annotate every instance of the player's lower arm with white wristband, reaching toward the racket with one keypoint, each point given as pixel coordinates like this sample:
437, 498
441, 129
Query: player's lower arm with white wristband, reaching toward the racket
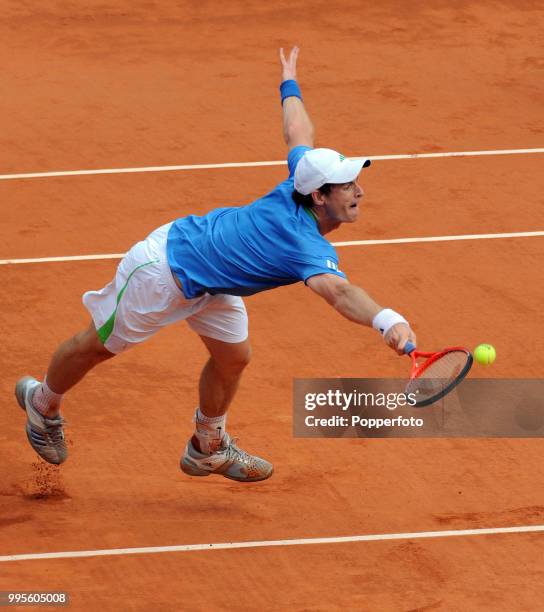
356, 305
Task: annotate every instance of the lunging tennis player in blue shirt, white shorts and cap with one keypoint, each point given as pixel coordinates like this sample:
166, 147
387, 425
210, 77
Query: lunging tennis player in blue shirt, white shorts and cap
198, 269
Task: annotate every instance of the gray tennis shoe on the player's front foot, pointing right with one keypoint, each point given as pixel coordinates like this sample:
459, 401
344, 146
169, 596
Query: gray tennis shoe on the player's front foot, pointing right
228, 461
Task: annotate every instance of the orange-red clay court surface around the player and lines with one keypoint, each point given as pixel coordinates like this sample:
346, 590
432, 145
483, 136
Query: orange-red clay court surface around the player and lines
104, 85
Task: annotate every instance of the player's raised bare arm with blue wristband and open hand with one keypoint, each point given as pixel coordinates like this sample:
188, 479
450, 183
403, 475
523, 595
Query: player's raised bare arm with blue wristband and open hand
297, 126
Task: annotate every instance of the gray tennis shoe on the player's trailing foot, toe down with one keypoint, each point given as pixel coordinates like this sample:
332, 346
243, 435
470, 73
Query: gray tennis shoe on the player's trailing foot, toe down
45, 435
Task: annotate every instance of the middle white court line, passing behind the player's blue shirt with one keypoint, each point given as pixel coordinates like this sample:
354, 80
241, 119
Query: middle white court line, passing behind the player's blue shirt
337, 244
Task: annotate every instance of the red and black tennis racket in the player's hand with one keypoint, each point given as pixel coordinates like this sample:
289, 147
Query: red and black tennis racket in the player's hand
438, 374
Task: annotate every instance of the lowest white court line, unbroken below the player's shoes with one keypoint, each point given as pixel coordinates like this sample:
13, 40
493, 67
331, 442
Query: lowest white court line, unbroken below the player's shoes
268, 543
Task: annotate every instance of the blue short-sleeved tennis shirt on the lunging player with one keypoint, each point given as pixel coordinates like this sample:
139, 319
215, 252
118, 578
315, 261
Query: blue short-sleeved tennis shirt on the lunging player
243, 250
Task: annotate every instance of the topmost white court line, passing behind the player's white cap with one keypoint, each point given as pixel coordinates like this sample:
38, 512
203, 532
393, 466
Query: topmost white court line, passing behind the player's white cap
27, 175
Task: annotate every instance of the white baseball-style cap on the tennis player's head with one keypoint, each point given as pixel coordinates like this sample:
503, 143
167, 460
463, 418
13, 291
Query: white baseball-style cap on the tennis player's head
320, 166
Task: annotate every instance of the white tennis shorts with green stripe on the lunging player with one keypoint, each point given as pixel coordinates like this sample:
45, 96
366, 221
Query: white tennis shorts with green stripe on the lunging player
143, 297
